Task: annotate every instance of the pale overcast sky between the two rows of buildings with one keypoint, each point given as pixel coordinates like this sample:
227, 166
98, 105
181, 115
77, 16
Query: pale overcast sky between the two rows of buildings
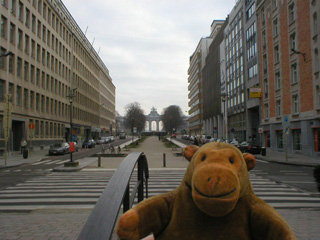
146, 44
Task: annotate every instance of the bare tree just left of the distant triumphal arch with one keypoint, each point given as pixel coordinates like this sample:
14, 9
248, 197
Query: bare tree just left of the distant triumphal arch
134, 117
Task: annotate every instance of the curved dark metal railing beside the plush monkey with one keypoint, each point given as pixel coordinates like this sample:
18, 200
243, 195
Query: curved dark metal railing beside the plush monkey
102, 220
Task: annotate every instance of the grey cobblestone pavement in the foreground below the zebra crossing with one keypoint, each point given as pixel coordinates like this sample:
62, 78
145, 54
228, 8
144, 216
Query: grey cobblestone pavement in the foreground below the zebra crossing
62, 225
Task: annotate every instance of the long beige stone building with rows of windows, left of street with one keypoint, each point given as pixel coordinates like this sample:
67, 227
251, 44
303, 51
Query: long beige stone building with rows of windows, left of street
52, 62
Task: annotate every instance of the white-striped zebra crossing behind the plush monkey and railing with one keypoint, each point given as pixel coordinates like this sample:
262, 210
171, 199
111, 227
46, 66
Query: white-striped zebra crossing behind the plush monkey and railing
82, 189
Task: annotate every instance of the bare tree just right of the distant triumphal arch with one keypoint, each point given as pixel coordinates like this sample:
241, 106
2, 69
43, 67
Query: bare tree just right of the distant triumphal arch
172, 118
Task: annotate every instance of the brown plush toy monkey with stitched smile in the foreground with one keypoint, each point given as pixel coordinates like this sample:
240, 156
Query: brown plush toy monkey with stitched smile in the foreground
214, 201
